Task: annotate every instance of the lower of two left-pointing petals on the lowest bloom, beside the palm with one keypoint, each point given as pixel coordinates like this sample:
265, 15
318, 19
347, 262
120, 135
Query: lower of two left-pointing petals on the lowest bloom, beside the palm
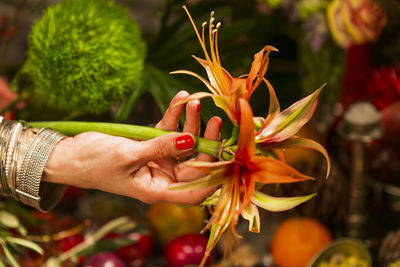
211, 180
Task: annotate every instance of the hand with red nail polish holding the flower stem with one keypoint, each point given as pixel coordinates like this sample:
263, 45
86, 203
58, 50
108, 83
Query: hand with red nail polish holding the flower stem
138, 169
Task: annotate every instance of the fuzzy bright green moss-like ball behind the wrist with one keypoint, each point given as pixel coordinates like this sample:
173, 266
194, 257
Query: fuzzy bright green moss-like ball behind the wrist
84, 55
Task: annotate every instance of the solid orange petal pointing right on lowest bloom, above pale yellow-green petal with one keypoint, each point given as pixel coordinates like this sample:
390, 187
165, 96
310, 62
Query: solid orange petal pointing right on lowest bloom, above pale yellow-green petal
273, 171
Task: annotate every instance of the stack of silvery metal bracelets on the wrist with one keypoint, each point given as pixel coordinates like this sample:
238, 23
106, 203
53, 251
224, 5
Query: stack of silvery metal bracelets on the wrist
23, 154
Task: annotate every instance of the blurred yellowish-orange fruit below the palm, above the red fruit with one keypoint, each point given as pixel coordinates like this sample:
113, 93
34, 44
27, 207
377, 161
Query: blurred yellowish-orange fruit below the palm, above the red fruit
168, 221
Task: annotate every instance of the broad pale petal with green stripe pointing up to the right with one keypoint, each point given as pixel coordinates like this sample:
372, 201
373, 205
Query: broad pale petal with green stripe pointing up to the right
289, 122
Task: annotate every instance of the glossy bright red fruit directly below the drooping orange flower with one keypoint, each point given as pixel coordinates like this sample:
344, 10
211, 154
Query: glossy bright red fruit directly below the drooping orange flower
186, 250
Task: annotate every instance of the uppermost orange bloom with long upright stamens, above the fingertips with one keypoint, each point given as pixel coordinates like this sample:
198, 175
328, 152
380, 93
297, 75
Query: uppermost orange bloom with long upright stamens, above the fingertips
225, 89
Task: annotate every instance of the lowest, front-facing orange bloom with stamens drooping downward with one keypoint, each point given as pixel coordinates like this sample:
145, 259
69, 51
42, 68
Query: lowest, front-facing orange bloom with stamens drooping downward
237, 179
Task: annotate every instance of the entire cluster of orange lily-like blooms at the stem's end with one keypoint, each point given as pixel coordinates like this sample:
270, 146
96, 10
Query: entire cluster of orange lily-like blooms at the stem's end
239, 179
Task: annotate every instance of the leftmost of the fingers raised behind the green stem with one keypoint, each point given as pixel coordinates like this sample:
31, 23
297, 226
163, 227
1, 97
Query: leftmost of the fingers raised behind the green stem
170, 120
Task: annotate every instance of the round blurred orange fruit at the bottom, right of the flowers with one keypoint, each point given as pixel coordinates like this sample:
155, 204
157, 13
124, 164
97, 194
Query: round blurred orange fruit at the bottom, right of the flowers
297, 240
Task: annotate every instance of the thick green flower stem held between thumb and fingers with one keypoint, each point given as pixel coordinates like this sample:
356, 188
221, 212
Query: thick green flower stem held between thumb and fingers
72, 128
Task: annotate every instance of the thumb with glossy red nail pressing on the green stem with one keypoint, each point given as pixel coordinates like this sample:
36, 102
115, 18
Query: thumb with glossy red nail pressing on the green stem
166, 146
